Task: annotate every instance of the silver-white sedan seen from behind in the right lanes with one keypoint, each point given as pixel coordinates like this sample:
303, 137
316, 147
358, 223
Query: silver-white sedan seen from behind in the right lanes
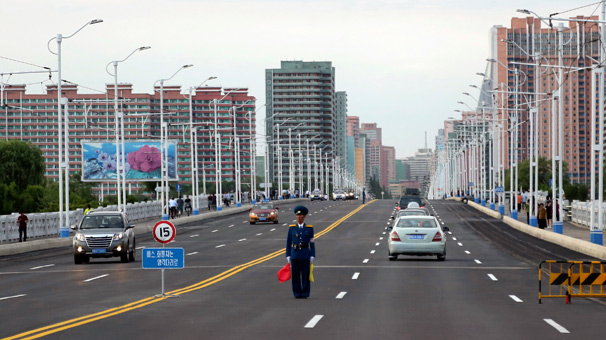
417, 235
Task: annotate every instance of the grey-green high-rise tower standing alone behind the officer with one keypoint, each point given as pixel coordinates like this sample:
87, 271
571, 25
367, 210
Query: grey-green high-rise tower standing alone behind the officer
300, 109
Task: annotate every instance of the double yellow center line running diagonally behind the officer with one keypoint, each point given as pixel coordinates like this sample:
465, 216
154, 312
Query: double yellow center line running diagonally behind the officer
61, 326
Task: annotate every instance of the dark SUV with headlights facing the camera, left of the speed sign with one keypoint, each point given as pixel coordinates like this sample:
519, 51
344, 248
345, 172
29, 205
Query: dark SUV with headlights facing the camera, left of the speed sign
104, 234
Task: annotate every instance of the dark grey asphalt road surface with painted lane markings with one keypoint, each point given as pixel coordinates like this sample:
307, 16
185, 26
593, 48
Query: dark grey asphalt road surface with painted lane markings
486, 288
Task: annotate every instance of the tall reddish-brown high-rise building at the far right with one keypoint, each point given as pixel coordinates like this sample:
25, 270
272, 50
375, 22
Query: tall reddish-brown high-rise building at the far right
516, 50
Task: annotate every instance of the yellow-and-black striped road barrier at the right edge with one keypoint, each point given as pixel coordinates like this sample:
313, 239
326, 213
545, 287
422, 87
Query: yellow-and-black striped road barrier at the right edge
569, 279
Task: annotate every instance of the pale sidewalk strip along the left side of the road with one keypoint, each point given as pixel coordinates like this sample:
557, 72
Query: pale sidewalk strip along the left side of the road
141, 227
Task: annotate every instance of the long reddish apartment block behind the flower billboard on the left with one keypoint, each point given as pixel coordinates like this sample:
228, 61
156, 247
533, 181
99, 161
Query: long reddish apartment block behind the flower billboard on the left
91, 117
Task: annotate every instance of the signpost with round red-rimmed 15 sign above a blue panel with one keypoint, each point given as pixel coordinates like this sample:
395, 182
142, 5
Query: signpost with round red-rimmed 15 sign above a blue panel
163, 258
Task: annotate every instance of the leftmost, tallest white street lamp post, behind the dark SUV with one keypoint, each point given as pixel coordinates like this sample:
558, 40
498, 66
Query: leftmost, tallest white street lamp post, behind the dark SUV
64, 228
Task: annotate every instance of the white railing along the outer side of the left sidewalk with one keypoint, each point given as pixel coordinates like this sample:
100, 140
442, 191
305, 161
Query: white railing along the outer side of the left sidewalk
47, 224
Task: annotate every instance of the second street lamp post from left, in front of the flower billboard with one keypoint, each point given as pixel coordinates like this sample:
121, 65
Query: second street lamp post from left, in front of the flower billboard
119, 120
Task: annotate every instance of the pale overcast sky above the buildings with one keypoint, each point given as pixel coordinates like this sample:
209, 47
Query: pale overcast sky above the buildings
404, 64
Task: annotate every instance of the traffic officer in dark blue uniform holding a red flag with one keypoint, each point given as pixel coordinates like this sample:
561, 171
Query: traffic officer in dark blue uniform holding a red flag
300, 253
